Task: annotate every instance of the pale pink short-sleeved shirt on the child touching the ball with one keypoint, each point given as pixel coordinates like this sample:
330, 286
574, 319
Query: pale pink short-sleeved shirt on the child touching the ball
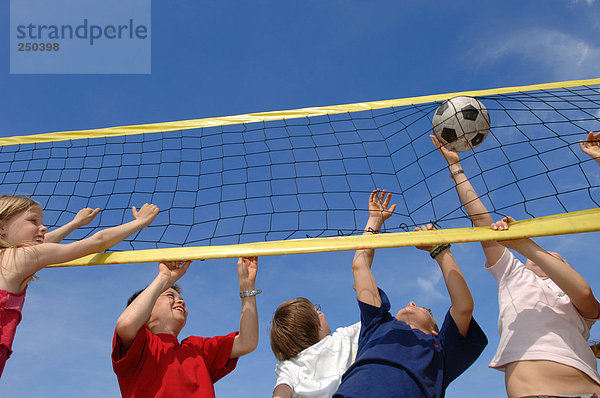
537, 320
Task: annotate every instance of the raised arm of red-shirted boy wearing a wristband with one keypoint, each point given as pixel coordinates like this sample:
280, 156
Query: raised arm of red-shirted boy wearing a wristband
247, 340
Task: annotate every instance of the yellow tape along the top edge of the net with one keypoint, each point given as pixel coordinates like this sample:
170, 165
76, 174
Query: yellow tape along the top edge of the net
276, 115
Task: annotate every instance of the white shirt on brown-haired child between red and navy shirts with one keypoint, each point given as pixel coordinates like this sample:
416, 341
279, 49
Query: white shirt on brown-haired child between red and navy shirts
317, 370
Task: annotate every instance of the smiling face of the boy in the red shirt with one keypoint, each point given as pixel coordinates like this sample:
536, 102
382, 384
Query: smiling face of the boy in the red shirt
168, 314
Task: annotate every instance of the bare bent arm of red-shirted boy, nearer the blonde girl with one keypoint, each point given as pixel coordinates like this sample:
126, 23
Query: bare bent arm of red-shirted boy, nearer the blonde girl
138, 312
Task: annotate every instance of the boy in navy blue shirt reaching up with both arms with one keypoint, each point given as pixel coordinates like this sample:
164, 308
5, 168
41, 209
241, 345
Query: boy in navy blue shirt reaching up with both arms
407, 355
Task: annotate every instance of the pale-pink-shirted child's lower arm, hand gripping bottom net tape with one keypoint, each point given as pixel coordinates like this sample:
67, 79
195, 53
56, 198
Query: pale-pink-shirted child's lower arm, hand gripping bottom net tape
561, 273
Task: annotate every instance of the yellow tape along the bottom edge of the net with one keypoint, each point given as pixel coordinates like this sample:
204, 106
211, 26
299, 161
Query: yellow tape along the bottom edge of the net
567, 223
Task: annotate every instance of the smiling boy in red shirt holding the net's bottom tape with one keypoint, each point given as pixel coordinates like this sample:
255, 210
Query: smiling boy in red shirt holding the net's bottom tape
148, 358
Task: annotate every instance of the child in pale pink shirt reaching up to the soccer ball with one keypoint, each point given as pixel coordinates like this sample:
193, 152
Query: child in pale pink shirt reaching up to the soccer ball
546, 308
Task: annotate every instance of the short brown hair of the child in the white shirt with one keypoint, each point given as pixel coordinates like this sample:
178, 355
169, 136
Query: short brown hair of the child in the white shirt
295, 327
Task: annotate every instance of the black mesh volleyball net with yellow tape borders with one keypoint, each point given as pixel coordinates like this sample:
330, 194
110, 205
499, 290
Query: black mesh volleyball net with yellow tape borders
298, 181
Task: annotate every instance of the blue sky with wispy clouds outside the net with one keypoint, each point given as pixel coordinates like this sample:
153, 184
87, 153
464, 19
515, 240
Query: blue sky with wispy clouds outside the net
228, 58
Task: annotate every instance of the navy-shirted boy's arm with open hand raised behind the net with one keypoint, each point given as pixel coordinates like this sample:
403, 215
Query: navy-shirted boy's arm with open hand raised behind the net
364, 282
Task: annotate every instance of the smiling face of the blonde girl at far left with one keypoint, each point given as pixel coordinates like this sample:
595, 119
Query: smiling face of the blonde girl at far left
25, 227
